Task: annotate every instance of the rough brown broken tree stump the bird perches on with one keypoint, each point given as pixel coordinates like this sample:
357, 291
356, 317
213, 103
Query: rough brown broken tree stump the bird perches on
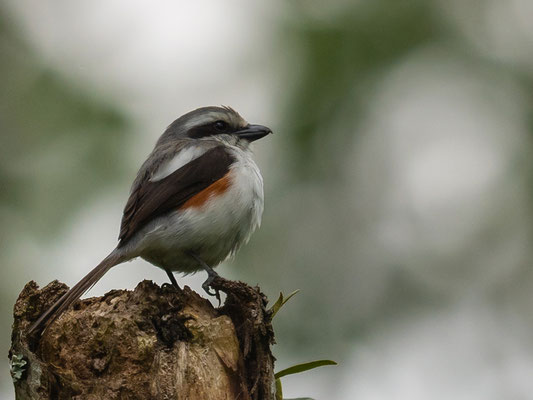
150, 343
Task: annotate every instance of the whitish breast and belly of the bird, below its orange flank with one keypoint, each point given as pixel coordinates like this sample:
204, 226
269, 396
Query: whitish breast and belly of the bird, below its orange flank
213, 231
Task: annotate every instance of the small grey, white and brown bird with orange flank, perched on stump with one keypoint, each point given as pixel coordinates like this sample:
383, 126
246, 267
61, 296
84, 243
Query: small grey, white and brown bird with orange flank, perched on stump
196, 200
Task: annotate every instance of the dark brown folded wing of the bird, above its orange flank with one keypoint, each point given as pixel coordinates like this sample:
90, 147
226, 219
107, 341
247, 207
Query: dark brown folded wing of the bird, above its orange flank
153, 199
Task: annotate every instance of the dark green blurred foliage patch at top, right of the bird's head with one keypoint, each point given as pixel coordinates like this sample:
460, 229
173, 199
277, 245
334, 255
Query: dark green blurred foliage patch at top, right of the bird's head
337, 61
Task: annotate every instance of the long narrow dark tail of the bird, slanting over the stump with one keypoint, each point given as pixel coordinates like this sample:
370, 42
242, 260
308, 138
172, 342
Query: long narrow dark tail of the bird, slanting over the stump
77, 291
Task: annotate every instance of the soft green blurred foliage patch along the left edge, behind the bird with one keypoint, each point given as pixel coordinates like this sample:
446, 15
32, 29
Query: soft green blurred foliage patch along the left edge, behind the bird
43, 118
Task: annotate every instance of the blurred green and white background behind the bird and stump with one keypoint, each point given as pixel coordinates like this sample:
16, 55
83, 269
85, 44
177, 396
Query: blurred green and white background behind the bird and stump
398, 182
